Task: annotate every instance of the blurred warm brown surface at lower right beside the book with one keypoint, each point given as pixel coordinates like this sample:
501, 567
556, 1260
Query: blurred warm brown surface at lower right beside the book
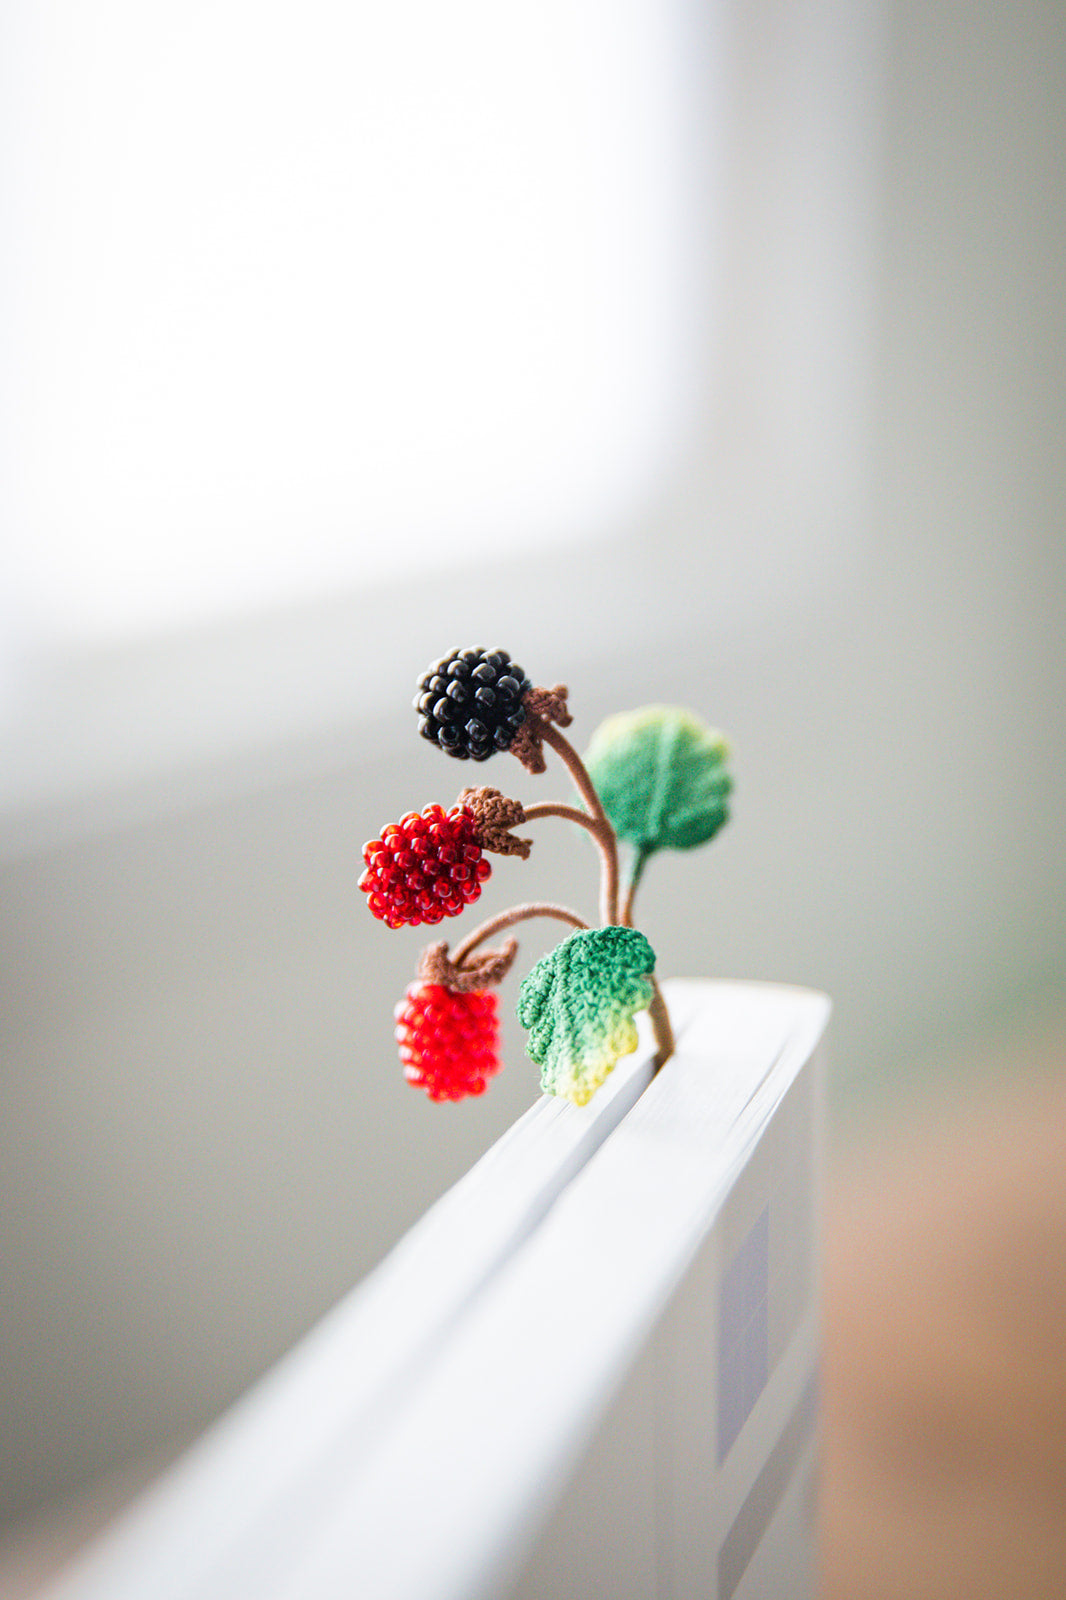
945, 1468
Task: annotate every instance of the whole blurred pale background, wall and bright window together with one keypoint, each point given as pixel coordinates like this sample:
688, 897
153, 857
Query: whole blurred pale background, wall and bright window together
695, 353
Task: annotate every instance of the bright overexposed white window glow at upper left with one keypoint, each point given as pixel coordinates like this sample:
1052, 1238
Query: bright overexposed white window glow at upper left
299, 295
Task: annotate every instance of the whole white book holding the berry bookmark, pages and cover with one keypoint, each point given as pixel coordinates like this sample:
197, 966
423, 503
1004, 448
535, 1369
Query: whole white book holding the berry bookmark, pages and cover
588, 1370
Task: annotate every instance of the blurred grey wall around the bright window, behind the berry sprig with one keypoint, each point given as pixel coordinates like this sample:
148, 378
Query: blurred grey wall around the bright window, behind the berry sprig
207, 1140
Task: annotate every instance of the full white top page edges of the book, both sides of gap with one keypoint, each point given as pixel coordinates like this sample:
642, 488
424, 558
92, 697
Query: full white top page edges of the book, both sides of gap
412, 1447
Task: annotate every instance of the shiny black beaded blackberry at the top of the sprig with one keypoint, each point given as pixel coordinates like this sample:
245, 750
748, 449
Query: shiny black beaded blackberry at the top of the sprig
470, 703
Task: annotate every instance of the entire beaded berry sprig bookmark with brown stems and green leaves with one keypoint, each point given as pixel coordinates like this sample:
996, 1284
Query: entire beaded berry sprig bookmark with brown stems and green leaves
652, 780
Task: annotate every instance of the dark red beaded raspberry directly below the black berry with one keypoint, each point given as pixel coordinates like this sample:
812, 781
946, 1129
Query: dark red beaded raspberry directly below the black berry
425, 868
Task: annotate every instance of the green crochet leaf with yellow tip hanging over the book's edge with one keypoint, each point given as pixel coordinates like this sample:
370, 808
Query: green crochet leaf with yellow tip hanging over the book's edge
580, 1004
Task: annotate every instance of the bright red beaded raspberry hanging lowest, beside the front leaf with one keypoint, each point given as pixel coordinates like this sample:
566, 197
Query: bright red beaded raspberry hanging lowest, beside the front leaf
449, 1041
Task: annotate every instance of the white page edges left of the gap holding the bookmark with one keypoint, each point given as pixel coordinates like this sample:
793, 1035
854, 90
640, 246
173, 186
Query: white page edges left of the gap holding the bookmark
332, 1396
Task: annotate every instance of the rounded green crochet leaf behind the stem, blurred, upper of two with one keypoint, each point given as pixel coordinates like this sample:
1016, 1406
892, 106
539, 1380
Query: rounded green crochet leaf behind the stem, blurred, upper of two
662, 778
